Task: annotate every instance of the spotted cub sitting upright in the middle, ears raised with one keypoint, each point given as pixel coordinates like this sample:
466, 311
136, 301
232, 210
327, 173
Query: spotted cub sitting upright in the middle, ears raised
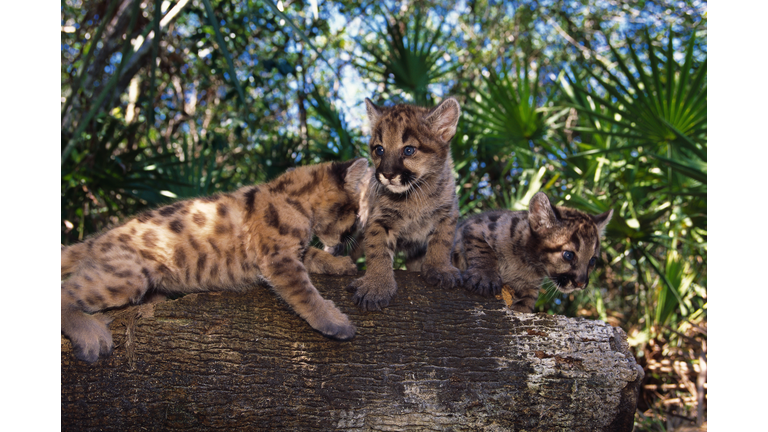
412, 205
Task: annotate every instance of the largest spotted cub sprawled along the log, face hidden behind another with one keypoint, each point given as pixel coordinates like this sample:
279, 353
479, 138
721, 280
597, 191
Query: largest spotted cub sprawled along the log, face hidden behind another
221, 242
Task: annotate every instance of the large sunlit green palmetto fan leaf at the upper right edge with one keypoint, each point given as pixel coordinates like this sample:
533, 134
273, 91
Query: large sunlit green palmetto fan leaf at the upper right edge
659, 106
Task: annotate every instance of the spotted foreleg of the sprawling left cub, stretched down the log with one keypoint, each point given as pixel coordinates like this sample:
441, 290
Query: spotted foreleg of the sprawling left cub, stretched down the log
290, 280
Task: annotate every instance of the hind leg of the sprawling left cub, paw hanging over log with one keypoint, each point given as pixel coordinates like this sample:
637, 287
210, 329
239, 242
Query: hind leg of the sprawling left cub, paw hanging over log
91, 288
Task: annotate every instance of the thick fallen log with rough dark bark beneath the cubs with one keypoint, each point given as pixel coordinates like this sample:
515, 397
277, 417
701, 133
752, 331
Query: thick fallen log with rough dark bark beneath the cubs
433, 360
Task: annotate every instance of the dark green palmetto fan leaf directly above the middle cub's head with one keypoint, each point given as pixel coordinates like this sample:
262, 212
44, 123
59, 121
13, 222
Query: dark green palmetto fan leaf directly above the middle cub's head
406, 59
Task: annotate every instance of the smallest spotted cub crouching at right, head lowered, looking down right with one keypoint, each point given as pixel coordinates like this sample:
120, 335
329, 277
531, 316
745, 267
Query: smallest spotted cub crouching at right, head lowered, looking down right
521, 249
